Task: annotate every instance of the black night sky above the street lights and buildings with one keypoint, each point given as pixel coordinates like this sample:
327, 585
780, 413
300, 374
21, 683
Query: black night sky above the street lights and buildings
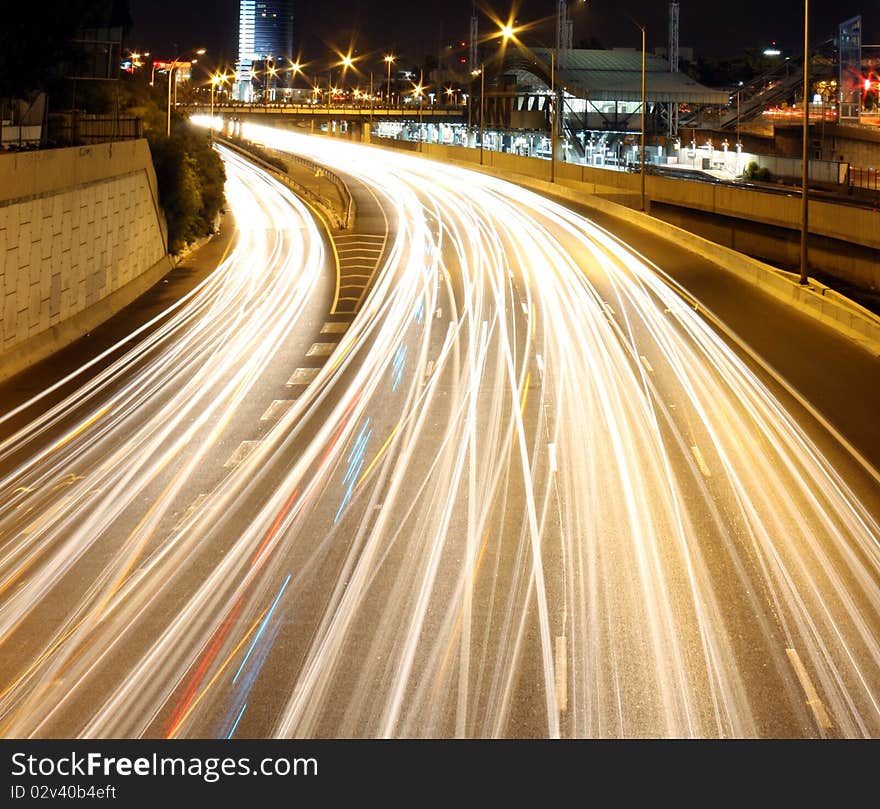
418, 28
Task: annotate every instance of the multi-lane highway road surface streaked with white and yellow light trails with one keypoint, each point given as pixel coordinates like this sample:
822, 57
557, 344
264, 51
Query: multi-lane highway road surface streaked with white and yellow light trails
528, 490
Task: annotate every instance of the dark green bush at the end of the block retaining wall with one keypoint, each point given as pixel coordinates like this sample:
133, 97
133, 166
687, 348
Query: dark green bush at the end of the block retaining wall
190, 175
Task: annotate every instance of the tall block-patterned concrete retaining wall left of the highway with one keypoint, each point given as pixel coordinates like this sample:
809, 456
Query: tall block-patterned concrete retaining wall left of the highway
81, 236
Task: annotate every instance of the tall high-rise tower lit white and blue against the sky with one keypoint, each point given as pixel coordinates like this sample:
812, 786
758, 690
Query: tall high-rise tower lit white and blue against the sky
265, 44
